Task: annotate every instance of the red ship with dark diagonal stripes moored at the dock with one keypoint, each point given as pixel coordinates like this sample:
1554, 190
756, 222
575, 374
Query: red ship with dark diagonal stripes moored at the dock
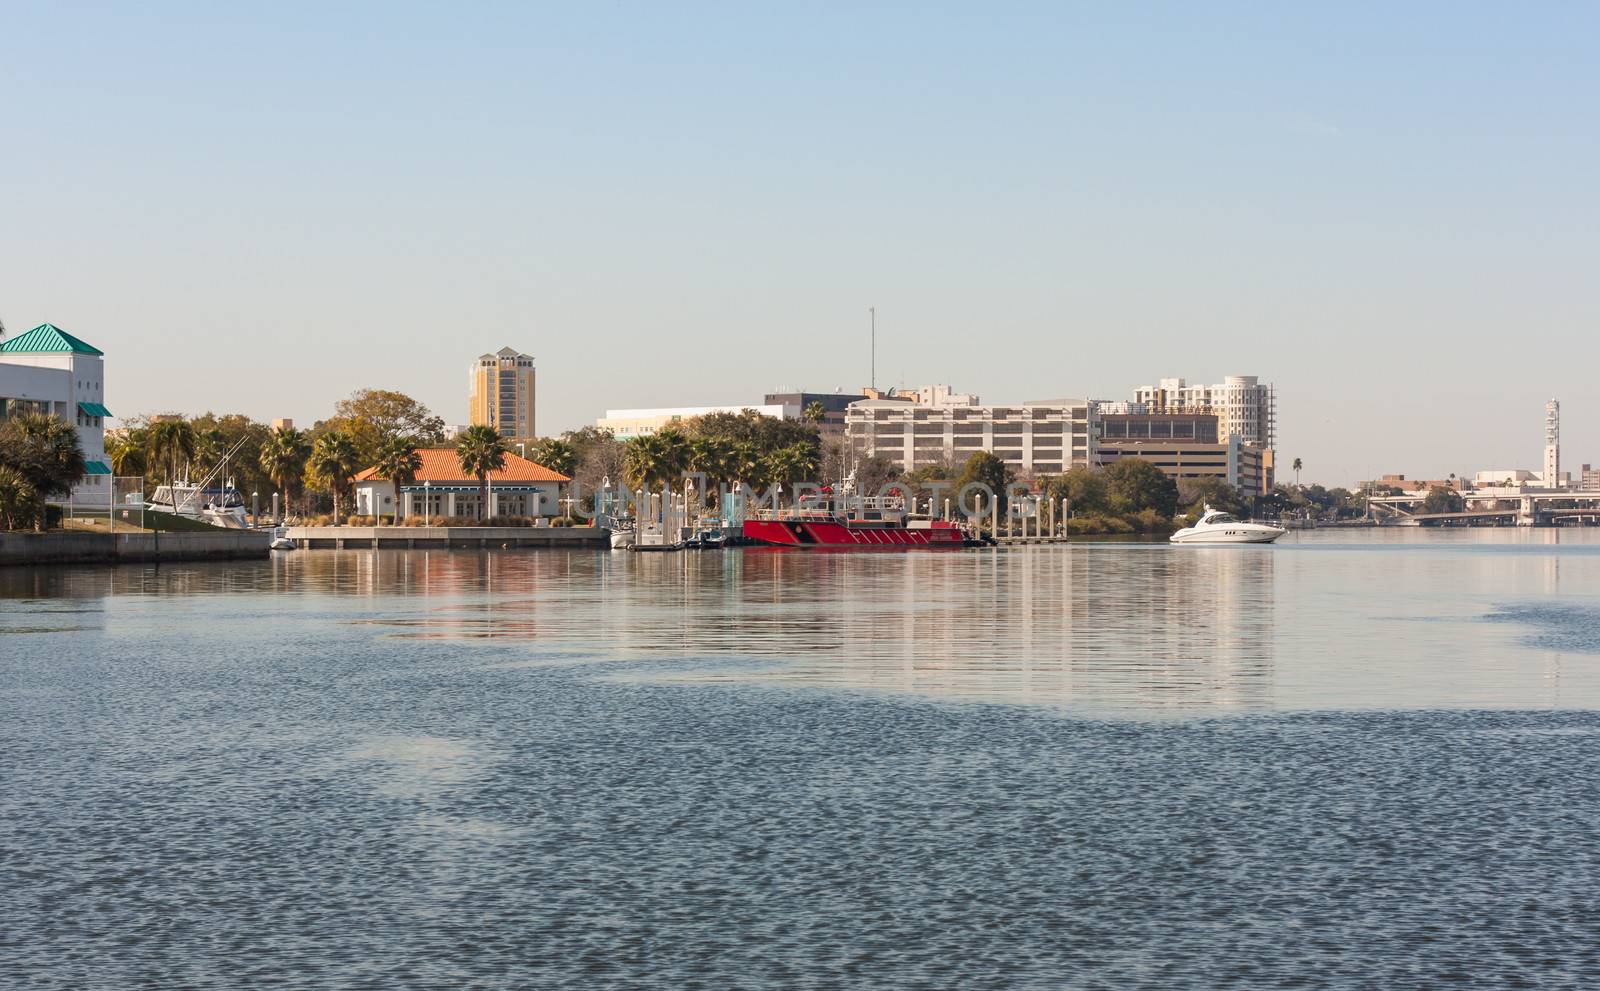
866, 524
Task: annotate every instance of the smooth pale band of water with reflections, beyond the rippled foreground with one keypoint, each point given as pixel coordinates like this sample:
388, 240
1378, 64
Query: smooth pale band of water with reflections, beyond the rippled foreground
1324, 620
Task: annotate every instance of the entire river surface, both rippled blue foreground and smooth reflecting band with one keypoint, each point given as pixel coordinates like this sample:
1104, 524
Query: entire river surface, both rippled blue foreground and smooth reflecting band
1353, 760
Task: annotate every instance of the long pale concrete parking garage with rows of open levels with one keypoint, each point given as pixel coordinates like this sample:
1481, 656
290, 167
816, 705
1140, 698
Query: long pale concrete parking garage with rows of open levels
1034, 439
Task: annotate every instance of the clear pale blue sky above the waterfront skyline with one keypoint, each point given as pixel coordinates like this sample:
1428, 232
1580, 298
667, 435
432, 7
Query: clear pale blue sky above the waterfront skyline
1386, 211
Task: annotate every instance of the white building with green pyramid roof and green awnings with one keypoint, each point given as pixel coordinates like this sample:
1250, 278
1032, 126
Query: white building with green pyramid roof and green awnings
54, 372
